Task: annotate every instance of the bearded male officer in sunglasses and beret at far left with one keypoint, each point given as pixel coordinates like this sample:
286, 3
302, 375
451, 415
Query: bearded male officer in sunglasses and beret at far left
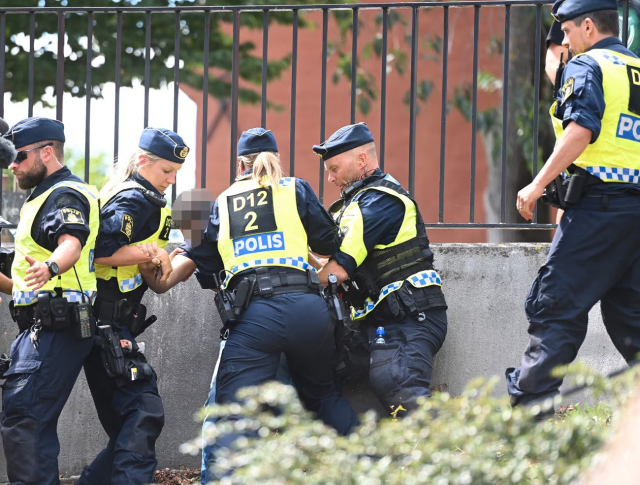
54, 285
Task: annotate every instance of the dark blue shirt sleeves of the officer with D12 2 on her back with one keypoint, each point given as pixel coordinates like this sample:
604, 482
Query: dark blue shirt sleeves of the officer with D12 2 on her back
322, 234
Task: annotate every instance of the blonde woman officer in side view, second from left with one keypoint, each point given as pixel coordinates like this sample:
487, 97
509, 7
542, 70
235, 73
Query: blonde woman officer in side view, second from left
134, 229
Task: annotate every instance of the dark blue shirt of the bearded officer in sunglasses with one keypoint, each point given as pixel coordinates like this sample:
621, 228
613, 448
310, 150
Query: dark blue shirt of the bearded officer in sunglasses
49, 223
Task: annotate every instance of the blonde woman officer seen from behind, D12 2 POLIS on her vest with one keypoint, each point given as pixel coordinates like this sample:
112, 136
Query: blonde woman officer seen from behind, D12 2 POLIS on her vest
260, 230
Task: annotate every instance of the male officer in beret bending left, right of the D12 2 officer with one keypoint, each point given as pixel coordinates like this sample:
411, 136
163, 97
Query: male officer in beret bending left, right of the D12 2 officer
386, 256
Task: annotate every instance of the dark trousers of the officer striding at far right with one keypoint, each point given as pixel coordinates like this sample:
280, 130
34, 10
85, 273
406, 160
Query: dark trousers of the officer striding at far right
595, 256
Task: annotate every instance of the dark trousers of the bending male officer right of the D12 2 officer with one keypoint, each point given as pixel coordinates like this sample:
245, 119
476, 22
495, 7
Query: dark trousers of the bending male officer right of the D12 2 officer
400, 370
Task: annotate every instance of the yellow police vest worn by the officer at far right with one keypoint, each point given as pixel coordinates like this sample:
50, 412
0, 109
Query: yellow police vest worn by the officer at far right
615, 155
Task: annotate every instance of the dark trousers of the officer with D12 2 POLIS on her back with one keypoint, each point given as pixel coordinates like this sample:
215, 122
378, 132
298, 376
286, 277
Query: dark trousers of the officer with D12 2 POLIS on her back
298, 325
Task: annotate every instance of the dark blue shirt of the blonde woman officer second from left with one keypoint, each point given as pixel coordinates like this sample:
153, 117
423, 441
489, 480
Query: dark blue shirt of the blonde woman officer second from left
145, 216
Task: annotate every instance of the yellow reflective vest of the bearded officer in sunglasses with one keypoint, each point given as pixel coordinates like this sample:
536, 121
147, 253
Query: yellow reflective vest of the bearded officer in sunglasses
26, 245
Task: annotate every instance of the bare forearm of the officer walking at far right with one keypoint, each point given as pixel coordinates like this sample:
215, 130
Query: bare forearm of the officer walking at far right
573, 142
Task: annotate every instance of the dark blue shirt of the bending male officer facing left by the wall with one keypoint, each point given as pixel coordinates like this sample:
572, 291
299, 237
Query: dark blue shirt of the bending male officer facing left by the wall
382, 216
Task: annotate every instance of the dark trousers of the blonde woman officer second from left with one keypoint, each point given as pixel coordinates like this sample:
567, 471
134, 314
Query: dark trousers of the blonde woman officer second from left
132, 415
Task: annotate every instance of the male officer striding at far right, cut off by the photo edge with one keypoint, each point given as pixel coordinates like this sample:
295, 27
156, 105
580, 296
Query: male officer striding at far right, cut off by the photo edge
595, 252
